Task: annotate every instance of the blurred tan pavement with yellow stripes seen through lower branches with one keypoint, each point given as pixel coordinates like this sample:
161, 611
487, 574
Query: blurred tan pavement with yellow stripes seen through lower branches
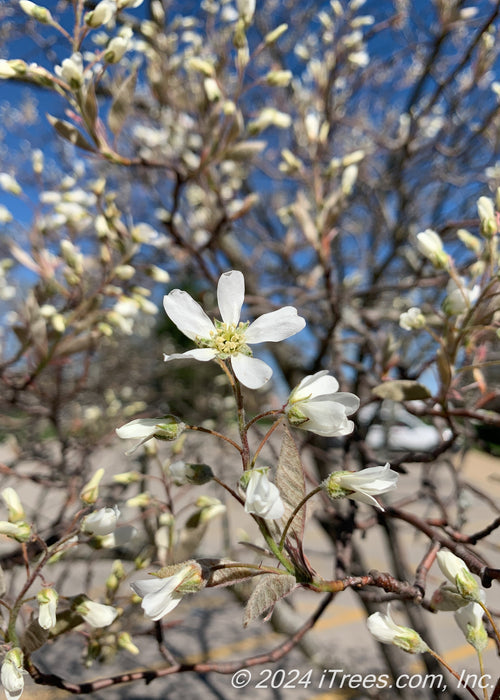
209, 627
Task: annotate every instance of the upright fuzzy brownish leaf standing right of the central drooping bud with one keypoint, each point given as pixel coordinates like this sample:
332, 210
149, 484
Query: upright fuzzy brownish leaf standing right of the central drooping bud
291, 484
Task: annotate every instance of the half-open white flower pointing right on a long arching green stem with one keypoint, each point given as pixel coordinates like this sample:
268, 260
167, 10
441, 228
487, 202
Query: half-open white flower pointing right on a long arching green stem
361, 486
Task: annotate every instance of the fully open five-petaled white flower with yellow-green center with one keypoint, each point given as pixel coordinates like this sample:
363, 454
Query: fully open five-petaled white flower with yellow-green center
229, 339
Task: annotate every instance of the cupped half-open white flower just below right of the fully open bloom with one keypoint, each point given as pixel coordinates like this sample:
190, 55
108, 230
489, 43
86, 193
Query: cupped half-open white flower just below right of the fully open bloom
317, 405
